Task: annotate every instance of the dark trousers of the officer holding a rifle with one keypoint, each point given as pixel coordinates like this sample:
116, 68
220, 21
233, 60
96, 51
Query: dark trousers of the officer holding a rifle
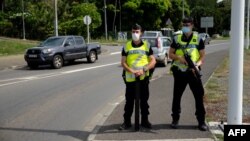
181, 79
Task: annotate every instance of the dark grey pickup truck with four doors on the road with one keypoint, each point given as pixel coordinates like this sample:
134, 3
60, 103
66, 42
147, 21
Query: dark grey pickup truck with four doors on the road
57, 49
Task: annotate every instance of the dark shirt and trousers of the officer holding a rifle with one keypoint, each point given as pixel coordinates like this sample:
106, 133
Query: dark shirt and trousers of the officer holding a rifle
184, 77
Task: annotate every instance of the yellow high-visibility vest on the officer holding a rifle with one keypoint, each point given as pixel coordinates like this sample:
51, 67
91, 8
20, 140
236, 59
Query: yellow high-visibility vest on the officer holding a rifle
191, 49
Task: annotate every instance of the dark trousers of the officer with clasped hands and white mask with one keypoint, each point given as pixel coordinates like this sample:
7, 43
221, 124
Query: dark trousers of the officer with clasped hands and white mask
130, 98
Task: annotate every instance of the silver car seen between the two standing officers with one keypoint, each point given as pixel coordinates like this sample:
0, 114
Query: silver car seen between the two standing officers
160, 47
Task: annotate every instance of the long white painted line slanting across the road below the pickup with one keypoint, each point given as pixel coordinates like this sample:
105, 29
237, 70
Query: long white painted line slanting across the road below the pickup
29, 78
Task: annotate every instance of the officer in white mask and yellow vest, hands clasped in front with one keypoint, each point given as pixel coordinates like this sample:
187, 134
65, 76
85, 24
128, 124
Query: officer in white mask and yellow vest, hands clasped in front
137, 60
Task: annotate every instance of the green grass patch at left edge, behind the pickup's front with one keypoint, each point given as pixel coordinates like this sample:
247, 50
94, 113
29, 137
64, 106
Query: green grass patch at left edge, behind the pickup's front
14, 46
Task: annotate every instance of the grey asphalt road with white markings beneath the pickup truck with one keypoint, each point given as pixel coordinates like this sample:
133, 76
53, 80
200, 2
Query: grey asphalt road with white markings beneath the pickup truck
59, 105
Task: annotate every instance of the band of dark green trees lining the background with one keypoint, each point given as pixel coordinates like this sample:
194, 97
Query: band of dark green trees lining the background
121, 15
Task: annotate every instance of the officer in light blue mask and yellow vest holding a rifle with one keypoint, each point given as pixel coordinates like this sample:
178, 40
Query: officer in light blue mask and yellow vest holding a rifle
183, 75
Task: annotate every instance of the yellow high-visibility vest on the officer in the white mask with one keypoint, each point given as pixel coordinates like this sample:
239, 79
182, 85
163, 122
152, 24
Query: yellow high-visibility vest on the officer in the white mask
137, 58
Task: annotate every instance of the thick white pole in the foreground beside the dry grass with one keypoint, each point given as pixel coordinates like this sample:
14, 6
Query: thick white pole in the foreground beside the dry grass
234, 115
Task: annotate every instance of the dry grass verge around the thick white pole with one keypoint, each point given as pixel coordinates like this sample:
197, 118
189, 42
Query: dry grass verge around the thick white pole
216, 92
